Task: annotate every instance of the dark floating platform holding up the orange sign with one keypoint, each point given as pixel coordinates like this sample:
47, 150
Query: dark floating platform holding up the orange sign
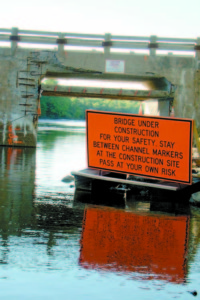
99, 182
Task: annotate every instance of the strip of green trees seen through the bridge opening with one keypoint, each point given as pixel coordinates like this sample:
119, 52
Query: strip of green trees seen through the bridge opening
74, 108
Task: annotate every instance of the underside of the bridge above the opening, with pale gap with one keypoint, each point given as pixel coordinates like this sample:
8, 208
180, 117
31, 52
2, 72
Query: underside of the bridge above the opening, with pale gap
153, 87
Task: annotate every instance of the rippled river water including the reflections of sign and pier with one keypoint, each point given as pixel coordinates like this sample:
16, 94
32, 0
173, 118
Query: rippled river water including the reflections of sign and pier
54, 247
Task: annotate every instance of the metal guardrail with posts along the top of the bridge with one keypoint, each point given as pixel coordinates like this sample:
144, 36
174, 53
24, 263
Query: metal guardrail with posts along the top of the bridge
107, 41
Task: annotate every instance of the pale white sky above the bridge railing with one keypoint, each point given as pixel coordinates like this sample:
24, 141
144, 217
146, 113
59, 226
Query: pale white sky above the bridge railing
164, 18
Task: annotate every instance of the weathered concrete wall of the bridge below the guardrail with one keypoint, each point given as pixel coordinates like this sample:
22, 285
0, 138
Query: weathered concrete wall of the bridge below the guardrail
21, 72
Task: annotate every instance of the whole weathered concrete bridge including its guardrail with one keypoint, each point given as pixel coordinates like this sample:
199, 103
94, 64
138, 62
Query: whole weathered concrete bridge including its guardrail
169, 68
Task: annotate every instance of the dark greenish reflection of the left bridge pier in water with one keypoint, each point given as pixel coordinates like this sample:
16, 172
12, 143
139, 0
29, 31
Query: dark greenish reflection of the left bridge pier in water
17, 178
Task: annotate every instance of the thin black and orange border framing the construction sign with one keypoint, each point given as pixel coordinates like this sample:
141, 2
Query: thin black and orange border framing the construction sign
190, 121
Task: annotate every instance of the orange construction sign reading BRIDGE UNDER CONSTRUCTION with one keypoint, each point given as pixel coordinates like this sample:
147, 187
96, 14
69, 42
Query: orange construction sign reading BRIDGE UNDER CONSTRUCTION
155, 147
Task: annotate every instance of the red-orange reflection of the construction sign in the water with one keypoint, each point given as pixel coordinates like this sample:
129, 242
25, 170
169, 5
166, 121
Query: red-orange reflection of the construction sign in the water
154, 245
